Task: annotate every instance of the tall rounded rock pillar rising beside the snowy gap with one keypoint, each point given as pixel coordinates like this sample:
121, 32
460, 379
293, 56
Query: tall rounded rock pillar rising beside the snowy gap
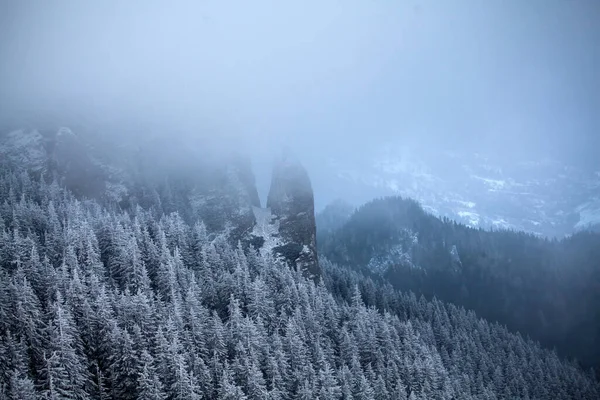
291, 201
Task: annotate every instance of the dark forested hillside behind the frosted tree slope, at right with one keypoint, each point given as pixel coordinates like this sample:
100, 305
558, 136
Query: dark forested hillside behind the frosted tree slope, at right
546, 289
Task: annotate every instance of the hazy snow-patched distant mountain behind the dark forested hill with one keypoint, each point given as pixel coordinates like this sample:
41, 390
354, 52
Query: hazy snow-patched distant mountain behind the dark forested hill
544, 197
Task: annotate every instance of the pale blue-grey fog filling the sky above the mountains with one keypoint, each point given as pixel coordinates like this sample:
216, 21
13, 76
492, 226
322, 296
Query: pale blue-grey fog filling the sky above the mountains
330, 79
